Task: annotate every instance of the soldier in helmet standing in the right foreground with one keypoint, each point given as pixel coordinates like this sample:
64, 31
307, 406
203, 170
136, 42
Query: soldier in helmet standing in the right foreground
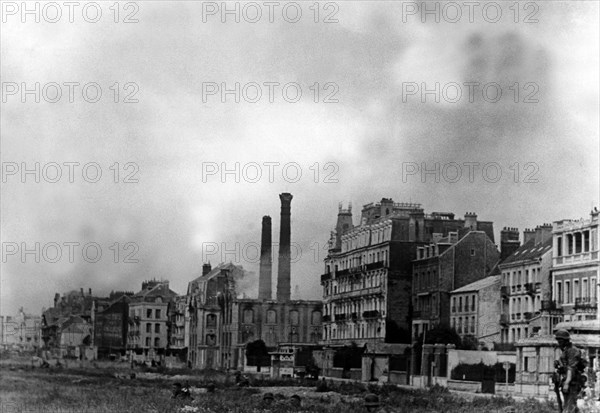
570, 361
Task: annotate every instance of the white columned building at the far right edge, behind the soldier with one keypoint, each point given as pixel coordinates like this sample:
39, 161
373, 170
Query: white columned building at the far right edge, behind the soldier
575, 266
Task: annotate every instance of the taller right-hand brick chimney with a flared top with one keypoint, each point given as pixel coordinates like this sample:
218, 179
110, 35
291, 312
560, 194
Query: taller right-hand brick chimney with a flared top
284, 261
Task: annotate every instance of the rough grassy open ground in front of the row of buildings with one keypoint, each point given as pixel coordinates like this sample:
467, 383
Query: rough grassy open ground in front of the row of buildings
98, 391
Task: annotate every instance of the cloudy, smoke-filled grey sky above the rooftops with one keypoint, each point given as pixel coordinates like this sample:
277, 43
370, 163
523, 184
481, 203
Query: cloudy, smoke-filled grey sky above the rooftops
346, 102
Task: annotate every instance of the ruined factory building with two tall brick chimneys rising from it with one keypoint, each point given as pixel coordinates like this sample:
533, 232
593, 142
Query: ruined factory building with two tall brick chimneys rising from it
221, 324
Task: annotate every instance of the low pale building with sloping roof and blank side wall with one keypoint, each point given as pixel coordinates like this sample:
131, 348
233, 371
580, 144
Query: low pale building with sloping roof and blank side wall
475, 310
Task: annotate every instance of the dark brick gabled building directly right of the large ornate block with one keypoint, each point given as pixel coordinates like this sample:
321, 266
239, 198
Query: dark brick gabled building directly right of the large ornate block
444, 266
